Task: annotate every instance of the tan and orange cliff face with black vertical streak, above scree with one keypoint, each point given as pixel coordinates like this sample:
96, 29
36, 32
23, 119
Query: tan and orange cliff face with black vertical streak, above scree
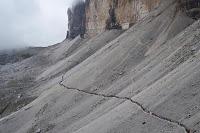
104, 14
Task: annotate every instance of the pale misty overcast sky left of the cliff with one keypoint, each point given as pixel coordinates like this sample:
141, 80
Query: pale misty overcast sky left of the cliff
32, 22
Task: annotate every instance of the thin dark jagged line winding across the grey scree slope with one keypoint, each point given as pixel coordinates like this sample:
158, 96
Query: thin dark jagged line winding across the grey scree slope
187, 130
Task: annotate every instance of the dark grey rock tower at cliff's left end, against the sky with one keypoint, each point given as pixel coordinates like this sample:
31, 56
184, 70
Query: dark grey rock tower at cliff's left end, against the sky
76, 20
